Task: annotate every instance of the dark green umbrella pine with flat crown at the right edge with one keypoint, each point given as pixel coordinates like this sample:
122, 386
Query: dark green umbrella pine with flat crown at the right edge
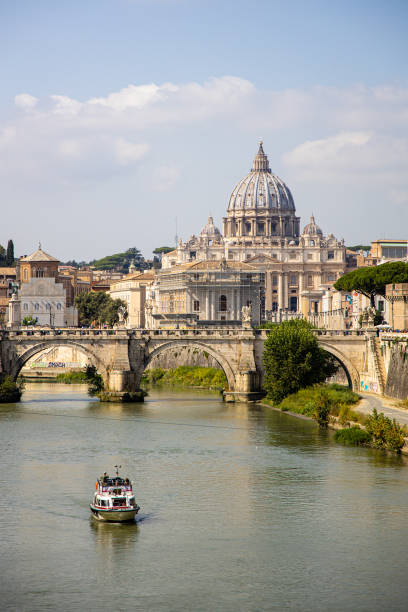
371, 281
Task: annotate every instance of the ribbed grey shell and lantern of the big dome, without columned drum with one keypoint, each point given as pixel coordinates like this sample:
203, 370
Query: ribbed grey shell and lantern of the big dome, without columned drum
261, 188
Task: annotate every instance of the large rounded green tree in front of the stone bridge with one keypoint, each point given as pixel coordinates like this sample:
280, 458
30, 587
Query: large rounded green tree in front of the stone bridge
293, 359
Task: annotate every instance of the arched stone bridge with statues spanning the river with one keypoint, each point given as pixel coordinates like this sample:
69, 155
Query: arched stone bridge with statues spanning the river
121, 355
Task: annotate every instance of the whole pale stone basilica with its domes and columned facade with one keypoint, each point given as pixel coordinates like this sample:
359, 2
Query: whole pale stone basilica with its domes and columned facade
261, 229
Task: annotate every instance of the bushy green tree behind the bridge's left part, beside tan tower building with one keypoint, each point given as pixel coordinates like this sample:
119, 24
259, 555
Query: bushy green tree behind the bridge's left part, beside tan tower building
98, 307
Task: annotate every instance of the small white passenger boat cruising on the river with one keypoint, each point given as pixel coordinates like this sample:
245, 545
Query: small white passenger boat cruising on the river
113, 499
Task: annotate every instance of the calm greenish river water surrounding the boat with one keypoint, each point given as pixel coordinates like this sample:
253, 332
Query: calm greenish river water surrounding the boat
242, 509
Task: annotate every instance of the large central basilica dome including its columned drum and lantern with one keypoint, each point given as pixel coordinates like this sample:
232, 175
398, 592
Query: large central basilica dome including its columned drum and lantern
261, 206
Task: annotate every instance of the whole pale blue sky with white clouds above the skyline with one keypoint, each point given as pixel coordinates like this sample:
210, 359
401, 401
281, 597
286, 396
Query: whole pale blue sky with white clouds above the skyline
126, 122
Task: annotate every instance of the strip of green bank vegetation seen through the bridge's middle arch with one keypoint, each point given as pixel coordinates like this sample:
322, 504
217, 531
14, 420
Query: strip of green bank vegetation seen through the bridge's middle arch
186, 376
